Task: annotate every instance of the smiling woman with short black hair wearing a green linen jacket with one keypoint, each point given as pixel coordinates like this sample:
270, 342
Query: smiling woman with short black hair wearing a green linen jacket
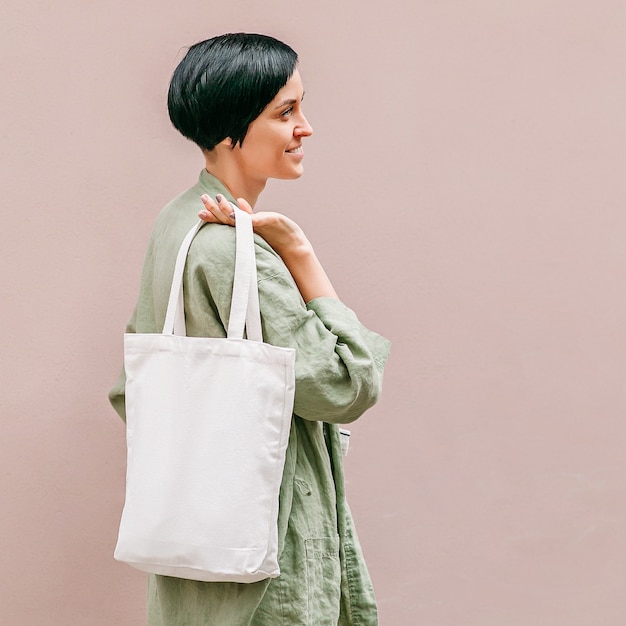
239, 98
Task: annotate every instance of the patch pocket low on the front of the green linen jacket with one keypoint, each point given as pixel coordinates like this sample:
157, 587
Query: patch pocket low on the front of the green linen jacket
323, 573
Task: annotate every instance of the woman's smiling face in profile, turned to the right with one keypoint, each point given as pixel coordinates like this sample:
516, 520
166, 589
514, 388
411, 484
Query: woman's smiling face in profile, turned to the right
272, 147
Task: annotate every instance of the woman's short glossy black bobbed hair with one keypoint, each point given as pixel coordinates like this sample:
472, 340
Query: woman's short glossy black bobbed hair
224, 83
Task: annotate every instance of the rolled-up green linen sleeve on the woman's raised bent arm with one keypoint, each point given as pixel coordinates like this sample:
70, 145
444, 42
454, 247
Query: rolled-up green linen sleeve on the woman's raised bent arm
339, 362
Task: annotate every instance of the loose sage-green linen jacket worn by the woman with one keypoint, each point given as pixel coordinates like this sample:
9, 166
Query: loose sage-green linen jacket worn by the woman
339, 367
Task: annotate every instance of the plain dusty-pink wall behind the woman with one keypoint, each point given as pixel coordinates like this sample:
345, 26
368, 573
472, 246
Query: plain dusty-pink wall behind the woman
465, 189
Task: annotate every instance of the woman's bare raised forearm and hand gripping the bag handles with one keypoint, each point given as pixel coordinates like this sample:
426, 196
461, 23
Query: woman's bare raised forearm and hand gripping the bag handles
285, 237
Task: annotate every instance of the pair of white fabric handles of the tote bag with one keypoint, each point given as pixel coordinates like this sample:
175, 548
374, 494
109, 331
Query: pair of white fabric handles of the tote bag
244, 307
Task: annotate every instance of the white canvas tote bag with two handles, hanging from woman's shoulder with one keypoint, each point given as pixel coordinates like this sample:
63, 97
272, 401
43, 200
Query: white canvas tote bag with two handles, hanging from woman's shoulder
208, 423
